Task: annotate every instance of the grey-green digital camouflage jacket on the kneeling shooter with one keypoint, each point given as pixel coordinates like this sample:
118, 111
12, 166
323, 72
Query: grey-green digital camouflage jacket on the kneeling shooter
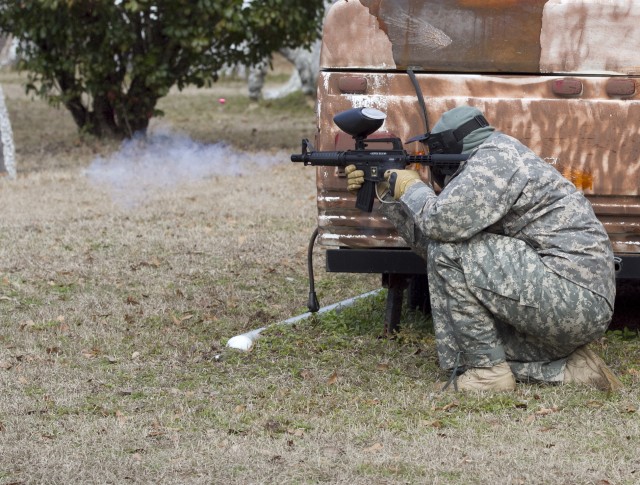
504, 188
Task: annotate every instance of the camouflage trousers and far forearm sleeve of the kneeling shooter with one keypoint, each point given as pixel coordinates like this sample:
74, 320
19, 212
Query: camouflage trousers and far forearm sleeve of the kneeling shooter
493, 299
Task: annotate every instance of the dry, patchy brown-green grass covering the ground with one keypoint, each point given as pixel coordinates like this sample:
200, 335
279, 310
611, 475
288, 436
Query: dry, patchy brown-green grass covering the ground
114, 318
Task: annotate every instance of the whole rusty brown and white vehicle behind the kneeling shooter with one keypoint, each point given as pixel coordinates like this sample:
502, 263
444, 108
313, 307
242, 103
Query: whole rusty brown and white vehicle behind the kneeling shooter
559, 75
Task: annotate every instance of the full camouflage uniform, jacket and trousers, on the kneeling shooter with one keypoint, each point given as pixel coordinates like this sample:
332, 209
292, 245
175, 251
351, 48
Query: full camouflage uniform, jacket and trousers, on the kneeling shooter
519, 267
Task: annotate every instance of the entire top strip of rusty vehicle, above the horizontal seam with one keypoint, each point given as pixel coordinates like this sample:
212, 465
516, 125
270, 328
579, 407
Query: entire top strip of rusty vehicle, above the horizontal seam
497, 36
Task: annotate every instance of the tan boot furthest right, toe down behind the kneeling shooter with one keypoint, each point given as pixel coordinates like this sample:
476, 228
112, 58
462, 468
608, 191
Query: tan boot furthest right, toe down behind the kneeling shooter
585, 367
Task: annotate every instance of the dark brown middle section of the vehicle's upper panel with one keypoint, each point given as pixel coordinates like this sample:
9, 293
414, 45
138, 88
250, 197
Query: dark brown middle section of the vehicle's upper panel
462, 35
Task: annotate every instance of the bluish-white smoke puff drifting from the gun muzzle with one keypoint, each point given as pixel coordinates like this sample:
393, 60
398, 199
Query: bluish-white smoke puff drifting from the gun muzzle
161, 160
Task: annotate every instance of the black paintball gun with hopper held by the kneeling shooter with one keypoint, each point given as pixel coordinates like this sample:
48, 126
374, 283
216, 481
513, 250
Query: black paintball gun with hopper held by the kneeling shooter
360, 123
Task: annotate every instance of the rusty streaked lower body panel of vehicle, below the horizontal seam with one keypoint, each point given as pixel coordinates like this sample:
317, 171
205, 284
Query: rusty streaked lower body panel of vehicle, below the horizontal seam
591, 139
